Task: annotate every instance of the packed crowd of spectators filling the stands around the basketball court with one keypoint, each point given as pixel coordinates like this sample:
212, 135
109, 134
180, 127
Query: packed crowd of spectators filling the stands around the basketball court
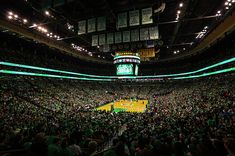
195, 118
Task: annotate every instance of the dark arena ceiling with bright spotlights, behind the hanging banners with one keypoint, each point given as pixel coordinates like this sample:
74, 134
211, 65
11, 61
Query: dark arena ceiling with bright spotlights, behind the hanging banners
177, 36
